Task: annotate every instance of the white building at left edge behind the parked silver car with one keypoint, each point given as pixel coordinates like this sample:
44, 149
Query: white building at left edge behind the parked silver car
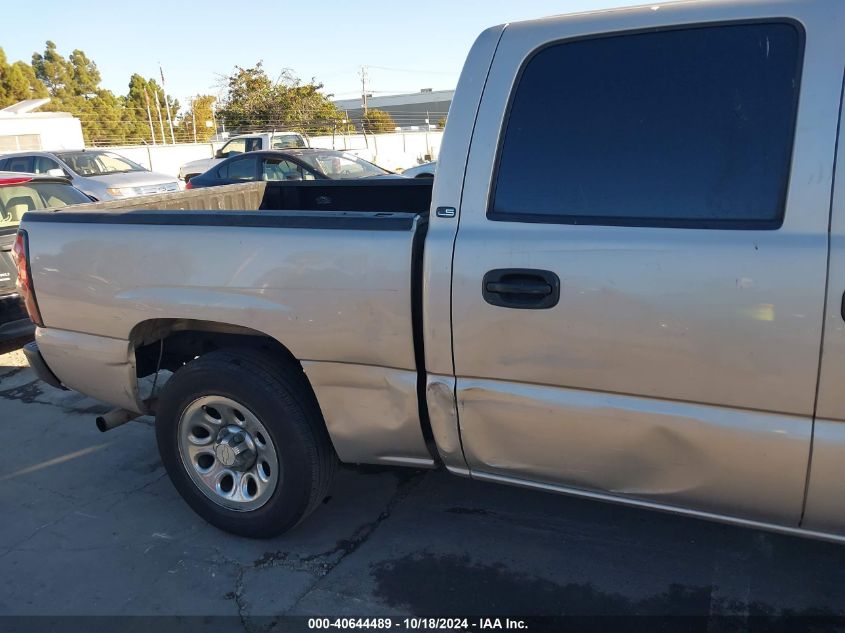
23, 129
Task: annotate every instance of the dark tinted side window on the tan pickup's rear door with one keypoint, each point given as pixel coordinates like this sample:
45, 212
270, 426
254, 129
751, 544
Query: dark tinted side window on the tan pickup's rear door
687, 128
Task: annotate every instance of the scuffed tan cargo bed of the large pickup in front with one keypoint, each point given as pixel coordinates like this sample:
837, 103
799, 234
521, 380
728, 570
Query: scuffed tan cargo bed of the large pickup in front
335, 283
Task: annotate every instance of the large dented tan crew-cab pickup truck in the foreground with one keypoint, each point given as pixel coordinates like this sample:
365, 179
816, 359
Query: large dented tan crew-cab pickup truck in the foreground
624, 283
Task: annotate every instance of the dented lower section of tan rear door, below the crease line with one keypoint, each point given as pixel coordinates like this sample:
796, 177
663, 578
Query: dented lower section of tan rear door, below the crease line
713, 459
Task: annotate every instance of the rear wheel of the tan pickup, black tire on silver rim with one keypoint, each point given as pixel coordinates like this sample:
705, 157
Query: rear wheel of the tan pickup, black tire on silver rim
274, 392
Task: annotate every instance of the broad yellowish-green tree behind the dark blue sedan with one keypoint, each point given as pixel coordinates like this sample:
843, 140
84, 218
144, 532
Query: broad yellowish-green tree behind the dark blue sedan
253, 101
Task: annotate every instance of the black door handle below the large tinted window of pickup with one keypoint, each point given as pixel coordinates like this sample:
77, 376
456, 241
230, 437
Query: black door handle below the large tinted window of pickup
521, 288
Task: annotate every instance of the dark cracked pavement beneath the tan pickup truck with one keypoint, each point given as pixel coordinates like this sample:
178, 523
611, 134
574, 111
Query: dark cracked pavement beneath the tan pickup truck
92, 525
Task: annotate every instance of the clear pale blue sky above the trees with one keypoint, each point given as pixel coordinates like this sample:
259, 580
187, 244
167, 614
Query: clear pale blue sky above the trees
416, 44
